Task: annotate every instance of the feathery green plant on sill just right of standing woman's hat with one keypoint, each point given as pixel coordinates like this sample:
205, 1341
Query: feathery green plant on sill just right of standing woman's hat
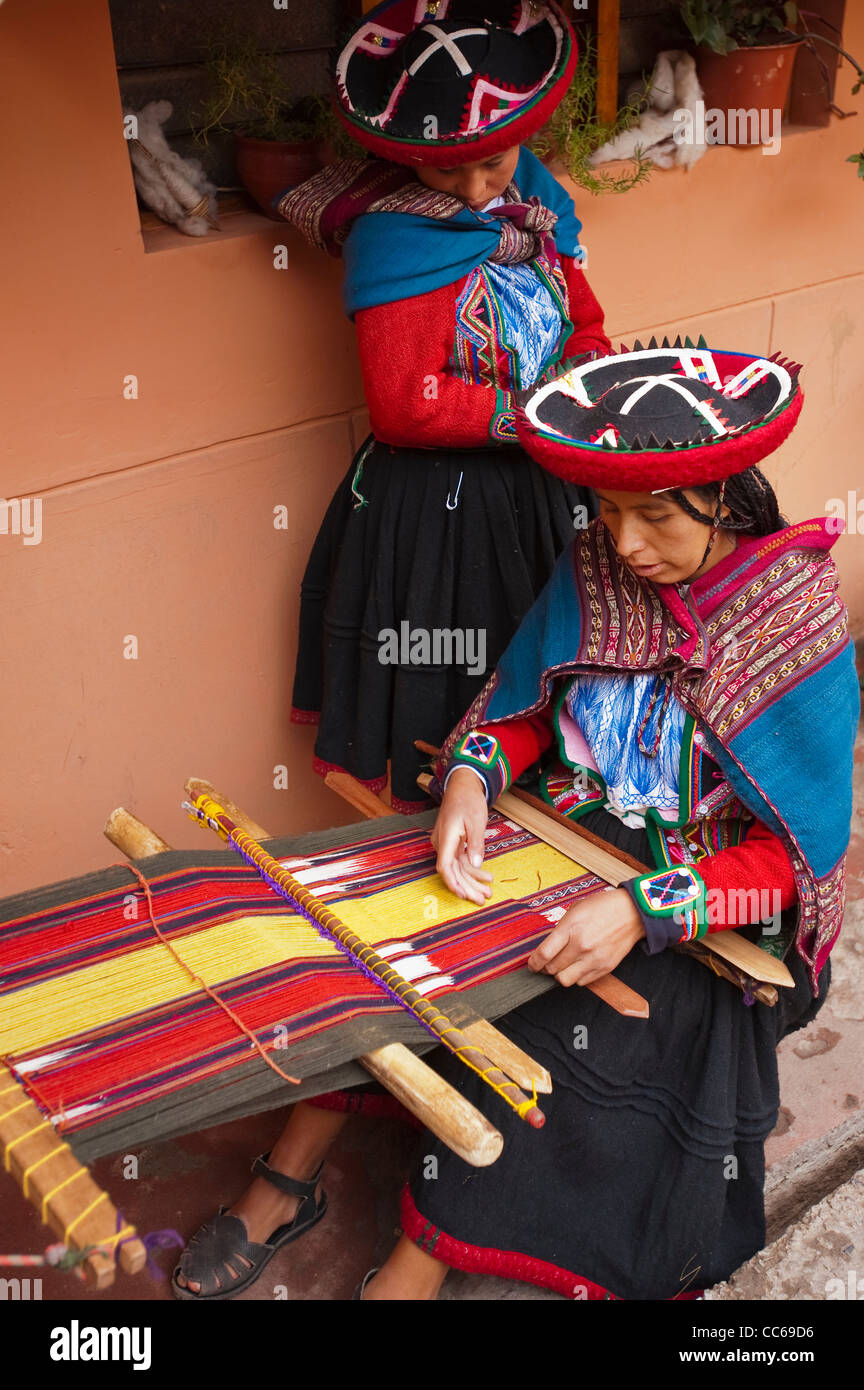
574, 133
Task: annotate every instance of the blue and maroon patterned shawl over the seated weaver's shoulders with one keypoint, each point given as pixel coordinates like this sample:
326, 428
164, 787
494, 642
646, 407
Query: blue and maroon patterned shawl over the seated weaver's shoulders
758, 654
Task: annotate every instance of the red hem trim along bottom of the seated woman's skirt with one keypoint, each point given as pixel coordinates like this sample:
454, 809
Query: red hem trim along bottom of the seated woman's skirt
504, 1264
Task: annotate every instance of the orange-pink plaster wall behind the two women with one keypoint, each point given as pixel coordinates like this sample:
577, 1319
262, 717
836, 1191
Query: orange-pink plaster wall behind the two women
158, 512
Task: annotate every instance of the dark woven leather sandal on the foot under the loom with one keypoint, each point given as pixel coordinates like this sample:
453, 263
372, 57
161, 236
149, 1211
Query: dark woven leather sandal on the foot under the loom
224, 1242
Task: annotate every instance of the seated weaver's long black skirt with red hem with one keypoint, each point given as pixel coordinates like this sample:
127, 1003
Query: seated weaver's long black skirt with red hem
647, 1181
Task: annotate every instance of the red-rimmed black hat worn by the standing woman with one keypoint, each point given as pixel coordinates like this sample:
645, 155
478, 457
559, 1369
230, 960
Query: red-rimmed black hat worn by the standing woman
448, 83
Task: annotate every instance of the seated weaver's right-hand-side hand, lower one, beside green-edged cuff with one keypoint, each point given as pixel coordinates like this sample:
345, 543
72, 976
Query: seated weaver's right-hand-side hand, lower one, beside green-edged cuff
590, 940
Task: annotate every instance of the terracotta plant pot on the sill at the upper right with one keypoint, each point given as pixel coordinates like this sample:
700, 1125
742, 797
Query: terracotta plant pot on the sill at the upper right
745, 51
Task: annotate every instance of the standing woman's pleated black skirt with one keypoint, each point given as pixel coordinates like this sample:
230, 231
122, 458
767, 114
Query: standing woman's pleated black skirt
416, 543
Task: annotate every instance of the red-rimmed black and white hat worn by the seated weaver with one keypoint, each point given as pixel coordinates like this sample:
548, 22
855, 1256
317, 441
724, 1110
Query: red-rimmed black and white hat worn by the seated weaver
665, 416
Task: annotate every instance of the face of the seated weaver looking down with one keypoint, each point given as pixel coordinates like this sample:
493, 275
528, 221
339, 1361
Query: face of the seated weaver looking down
658, 540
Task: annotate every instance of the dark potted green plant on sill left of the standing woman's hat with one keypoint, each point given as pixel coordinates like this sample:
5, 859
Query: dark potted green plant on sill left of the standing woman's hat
279, 142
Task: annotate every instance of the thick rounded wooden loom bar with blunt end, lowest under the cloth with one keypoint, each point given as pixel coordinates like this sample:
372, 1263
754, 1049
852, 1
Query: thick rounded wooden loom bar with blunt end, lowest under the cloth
422, 1090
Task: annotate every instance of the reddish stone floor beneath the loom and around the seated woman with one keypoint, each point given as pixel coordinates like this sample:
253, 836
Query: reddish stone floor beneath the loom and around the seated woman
183, 1184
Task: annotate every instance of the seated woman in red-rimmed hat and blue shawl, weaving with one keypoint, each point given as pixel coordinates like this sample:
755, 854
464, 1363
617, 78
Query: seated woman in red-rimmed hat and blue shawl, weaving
691, 668
